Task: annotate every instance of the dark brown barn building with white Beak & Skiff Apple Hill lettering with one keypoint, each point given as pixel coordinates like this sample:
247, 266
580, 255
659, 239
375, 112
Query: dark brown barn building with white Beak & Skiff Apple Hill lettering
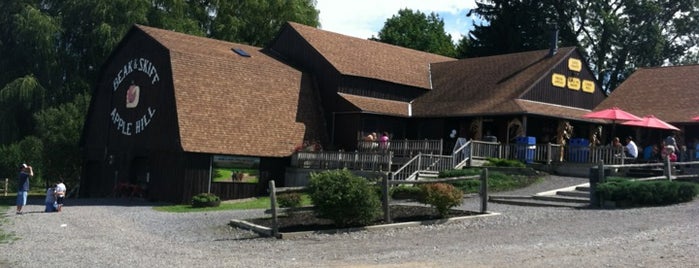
170, 109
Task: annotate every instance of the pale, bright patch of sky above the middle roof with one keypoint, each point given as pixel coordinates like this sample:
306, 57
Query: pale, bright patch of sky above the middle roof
364, 18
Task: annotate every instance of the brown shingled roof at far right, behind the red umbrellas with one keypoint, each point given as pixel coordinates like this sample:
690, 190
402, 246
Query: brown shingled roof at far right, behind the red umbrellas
668, 93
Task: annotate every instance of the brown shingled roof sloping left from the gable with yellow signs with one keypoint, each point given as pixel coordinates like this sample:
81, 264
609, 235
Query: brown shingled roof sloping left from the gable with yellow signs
492, 85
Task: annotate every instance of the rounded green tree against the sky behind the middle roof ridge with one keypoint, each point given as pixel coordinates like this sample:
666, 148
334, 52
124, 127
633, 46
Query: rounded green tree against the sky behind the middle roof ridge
417, 31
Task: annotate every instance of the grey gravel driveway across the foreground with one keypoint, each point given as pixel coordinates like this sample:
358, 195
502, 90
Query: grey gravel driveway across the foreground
123, 233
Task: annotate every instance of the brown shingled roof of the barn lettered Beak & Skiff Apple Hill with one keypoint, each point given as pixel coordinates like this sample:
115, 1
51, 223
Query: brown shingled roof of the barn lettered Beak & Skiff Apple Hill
230, 104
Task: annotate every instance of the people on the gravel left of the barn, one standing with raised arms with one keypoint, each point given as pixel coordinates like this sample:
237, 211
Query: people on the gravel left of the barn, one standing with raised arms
55, 194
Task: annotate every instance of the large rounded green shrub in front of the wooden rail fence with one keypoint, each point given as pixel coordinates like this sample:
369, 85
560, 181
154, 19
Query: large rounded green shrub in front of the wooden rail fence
344, 198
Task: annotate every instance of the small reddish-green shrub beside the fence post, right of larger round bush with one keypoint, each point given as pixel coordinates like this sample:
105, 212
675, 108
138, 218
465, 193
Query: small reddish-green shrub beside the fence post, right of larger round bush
442, 196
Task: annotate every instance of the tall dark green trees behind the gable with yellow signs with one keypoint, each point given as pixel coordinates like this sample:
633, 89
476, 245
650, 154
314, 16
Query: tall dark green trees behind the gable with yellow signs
616, 36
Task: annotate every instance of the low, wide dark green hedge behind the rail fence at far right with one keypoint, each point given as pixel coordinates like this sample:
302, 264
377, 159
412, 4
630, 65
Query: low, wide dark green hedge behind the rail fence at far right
647, 193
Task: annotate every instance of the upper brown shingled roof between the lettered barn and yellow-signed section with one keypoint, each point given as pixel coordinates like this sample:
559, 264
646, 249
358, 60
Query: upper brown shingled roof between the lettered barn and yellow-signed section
371, 59
